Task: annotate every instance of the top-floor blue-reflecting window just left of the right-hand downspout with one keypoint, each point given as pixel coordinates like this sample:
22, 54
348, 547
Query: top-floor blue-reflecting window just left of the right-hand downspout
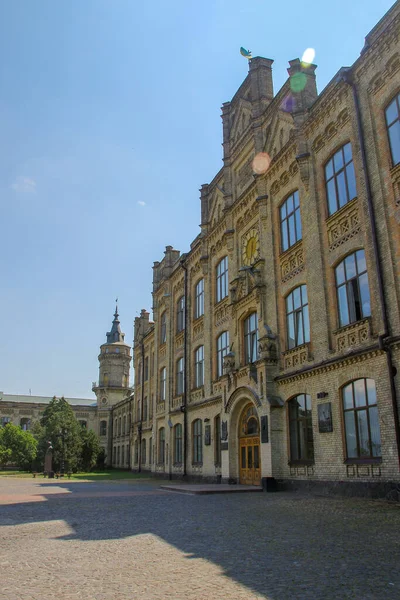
340, 179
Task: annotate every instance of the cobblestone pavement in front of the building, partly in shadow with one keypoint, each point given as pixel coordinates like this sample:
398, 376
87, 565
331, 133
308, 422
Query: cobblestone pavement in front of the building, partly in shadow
120, 540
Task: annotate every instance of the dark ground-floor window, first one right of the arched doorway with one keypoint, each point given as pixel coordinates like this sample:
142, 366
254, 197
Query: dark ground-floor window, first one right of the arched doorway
300, 428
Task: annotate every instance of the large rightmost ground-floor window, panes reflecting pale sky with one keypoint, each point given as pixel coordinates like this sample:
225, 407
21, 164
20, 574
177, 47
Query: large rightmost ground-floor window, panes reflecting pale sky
361, 421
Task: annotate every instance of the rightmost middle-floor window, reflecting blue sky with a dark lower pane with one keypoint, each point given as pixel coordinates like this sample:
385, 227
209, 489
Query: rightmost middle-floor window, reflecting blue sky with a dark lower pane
352, 289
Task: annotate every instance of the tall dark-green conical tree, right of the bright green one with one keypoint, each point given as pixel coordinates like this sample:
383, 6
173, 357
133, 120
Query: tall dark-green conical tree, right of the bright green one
60, 427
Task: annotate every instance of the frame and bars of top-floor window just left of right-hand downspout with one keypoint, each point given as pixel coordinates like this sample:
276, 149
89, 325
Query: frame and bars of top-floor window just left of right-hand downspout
334, 176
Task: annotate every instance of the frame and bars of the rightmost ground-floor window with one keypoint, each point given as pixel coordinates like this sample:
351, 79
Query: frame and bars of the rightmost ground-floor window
360, 458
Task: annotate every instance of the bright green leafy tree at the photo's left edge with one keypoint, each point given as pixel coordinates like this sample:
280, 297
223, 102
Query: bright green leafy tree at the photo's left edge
17, 446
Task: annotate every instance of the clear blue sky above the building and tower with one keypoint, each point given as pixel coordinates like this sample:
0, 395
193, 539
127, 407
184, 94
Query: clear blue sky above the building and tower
110, 122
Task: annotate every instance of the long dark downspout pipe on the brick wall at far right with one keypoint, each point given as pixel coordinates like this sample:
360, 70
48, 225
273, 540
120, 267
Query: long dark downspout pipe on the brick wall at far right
348, 78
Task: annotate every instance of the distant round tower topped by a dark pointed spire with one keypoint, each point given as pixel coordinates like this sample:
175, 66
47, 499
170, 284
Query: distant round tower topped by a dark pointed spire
114, 366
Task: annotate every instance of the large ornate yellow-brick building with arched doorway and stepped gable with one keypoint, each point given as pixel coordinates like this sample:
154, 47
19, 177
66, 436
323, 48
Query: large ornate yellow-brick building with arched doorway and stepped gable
275, 346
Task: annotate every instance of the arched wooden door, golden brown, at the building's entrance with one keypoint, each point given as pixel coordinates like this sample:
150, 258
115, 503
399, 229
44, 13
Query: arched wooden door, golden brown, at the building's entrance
249, 447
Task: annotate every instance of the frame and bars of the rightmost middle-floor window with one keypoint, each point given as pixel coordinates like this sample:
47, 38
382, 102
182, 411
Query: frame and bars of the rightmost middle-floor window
348, 284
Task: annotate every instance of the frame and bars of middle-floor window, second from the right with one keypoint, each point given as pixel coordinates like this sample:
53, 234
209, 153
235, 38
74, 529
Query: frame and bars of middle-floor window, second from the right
298, 312
